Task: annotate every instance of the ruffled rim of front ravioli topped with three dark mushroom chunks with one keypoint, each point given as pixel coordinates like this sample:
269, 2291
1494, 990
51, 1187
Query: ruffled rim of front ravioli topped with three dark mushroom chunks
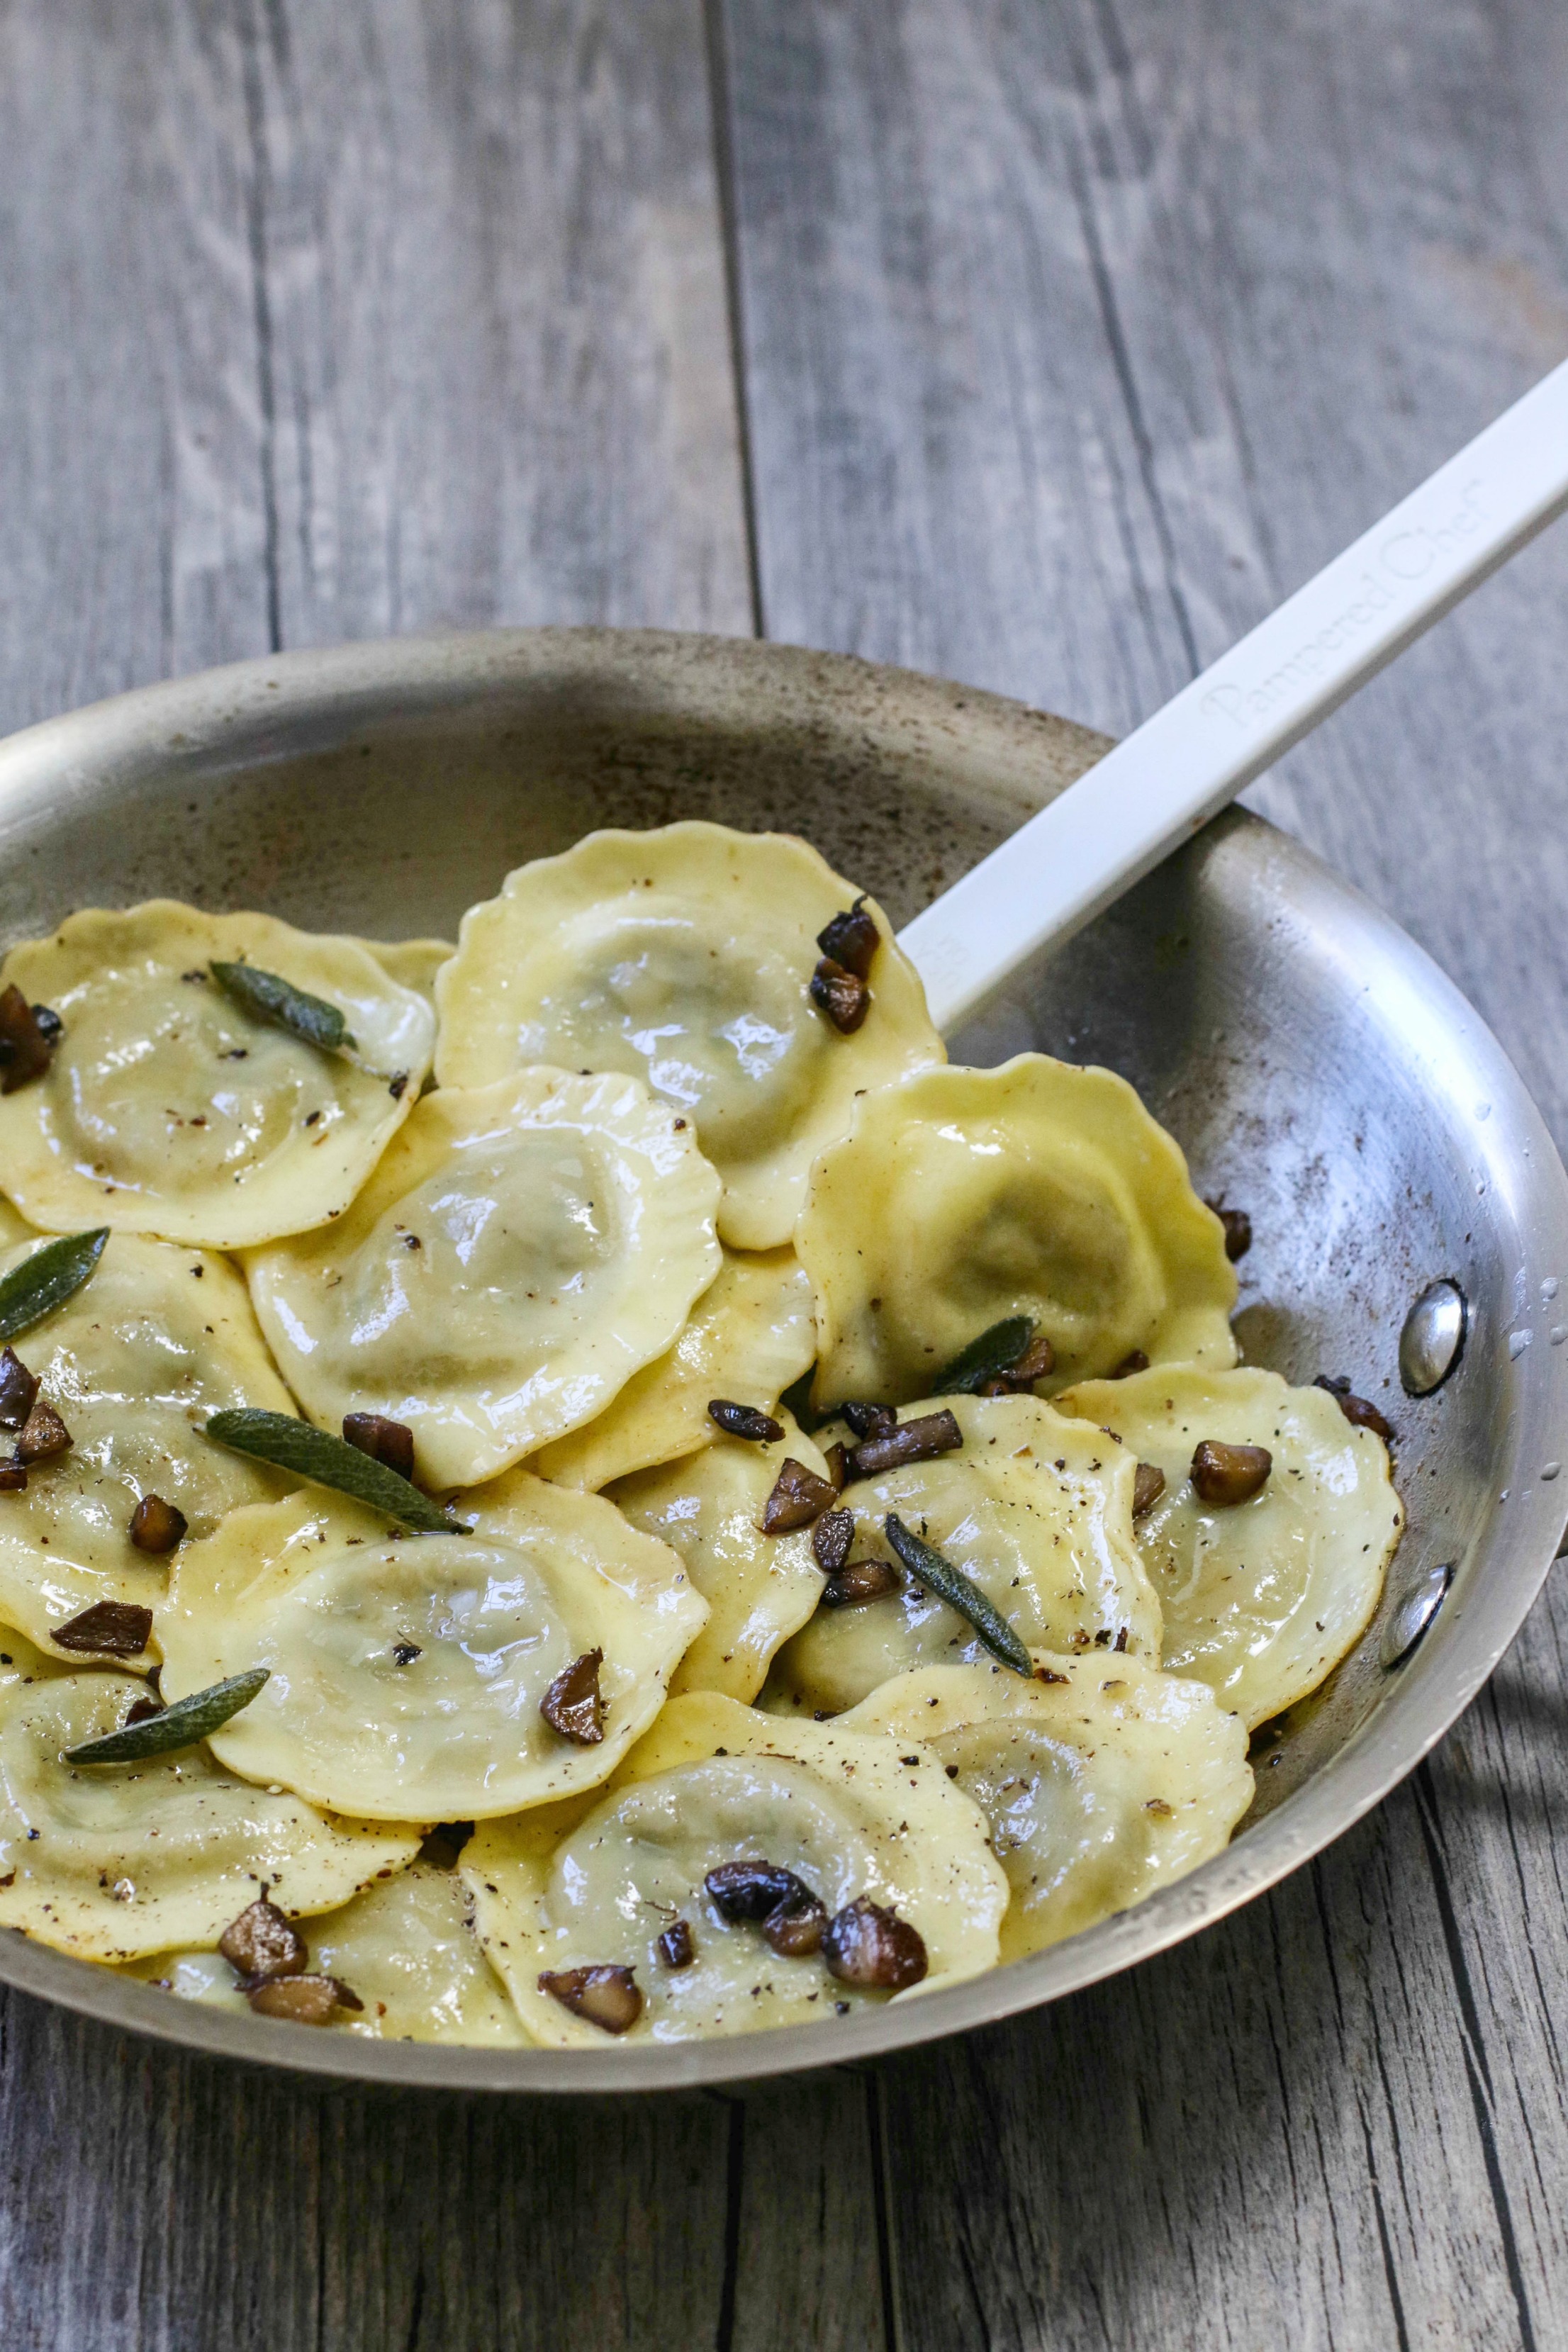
934, 1862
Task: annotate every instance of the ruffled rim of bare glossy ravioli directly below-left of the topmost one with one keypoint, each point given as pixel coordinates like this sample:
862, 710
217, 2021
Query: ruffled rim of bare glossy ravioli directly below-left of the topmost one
464, 1431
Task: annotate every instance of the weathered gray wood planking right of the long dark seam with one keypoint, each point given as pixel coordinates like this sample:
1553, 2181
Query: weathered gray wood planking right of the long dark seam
1076, 338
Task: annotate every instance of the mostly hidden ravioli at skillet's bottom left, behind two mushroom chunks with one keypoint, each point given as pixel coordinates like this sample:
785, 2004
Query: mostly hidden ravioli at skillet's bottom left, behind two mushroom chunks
408, 1949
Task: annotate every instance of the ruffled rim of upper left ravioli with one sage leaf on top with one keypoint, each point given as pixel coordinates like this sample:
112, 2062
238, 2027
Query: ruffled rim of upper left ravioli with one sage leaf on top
323, 1163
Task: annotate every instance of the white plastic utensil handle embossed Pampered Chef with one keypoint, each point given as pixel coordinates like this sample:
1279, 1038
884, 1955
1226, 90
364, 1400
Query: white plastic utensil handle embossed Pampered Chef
1247, 709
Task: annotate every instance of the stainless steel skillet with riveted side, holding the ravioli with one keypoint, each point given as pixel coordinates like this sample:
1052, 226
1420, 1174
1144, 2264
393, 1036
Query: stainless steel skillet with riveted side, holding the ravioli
1313, 1062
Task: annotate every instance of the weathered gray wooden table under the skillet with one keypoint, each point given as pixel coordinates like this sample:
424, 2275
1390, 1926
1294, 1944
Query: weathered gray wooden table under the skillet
1040, 342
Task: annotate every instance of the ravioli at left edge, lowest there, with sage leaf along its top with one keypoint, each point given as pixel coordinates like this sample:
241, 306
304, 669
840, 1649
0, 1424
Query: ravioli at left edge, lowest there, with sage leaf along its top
119, 1859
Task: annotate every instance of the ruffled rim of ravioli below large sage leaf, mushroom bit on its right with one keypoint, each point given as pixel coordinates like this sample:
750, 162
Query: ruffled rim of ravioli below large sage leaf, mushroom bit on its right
622, 1591
